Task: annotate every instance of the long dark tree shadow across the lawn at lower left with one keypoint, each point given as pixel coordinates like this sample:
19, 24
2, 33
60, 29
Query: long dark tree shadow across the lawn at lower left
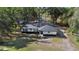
20, 42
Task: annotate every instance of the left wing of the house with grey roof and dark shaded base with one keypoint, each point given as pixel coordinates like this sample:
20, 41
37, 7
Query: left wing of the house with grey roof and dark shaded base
29, 28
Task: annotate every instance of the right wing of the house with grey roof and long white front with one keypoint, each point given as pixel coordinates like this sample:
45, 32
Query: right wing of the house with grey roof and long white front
48, 30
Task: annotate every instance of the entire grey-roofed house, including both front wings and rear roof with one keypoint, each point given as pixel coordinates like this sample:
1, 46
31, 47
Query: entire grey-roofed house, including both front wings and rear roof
40, 27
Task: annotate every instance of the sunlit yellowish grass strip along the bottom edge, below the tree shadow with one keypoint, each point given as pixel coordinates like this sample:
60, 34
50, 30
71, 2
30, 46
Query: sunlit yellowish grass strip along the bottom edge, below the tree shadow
39, 47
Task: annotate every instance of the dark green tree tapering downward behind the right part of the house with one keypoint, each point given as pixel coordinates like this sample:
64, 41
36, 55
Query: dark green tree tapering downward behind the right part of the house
55, 12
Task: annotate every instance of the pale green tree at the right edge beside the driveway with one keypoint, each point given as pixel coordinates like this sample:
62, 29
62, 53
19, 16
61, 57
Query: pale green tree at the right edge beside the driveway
74, 21
